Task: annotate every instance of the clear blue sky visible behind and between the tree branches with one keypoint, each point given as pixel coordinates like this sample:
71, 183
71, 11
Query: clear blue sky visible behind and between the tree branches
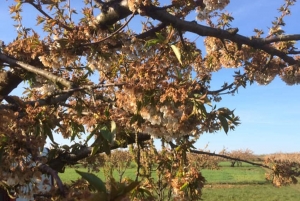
269, 114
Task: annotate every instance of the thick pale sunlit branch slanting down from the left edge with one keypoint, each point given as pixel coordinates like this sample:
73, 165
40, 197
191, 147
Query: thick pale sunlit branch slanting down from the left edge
35, 70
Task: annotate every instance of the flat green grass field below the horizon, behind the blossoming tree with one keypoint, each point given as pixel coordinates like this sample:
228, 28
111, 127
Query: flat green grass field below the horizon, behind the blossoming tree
246, 183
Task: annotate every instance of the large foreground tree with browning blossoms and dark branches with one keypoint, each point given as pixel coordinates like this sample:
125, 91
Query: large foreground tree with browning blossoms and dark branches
89, 73
